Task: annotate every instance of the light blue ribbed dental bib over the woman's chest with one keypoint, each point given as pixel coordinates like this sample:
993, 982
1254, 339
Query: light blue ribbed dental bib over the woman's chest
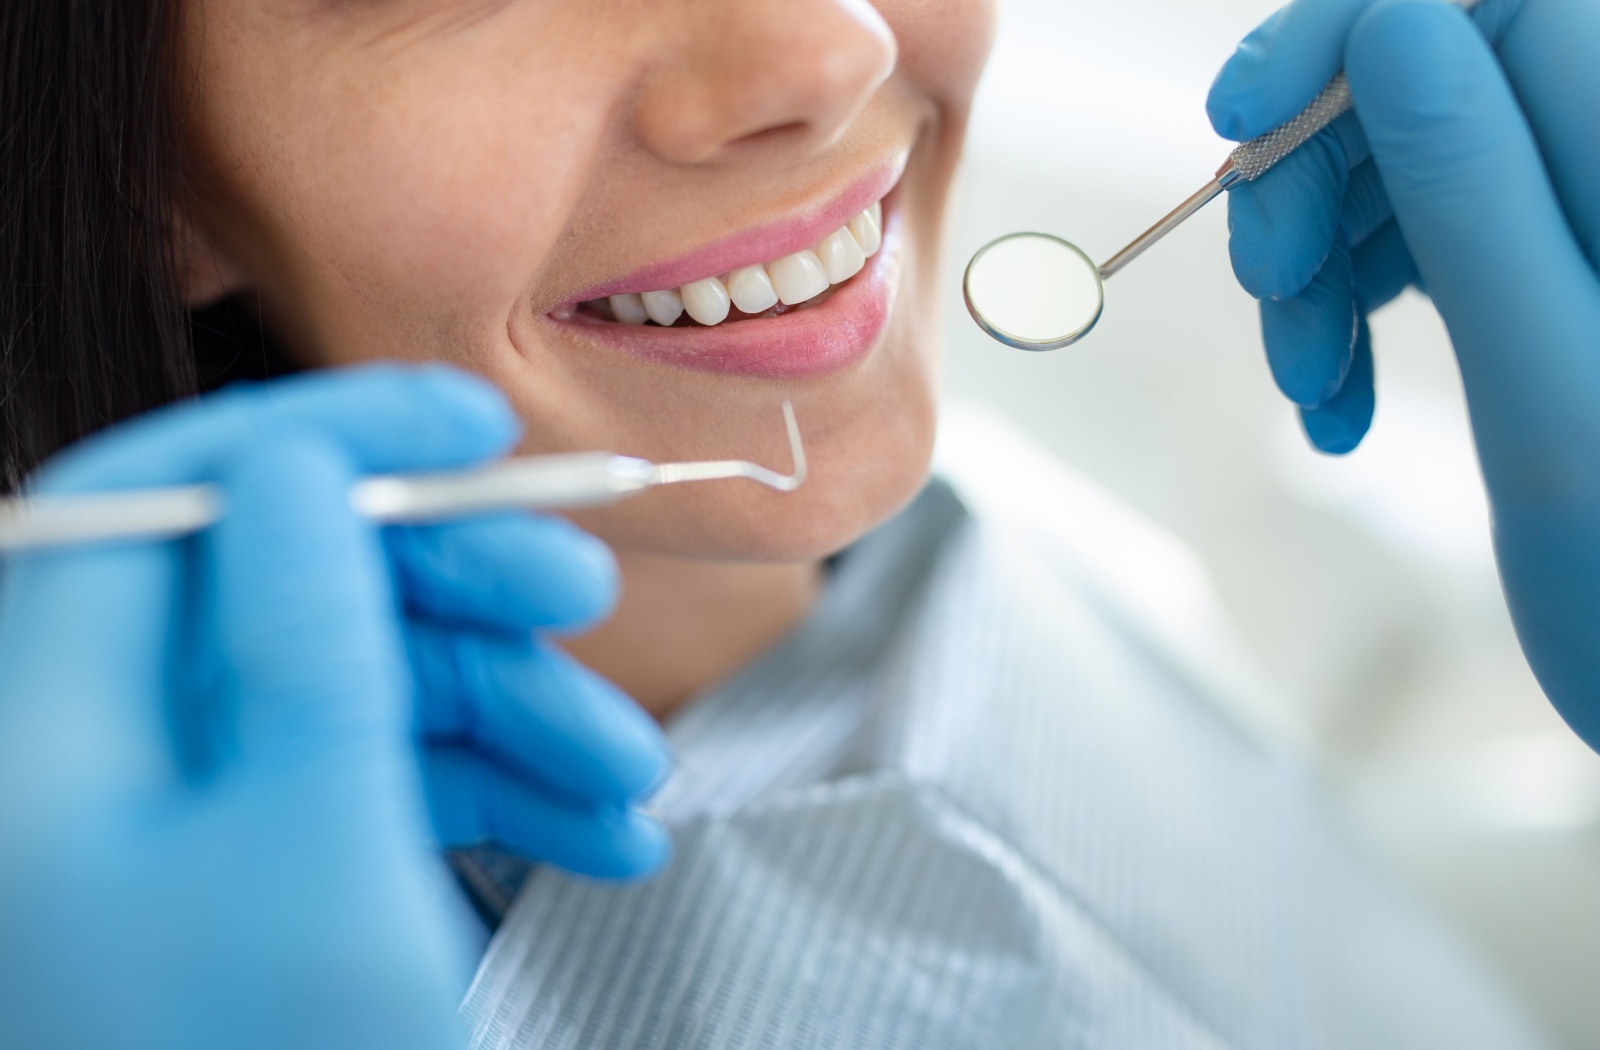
1002, 790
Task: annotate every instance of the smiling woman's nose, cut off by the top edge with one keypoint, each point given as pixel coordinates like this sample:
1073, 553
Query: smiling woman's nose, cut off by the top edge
740, 71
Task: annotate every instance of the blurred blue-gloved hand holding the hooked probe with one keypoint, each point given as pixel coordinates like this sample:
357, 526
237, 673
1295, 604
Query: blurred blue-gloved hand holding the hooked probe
214, 787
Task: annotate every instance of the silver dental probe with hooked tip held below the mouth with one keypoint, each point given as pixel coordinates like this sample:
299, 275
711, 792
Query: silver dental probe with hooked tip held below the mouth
558, 483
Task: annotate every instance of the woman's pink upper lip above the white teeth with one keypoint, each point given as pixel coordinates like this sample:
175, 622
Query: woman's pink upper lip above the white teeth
761, 244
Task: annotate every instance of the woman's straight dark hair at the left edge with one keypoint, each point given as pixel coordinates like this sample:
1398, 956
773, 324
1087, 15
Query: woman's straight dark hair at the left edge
92, 323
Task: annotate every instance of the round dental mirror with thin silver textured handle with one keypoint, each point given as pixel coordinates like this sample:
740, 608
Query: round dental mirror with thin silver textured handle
1038, 292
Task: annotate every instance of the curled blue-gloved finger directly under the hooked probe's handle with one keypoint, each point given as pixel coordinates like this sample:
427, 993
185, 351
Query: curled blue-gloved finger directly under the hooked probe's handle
510, 572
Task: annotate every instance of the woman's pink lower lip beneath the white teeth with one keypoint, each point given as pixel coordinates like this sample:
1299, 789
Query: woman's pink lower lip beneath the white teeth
806, 343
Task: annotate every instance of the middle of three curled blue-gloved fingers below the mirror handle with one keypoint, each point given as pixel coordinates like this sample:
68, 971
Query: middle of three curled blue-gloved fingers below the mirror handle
1311, 337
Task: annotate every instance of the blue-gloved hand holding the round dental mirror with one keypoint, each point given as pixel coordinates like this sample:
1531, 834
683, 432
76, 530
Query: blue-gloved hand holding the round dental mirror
1471, 169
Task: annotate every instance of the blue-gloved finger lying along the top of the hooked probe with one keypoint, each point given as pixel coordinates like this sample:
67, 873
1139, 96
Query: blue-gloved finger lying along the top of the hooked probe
388, 417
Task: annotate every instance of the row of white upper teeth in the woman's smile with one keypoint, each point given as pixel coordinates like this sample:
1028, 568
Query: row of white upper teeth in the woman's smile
759, 289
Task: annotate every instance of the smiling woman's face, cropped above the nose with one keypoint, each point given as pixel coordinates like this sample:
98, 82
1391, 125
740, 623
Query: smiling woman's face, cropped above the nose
473, 180
